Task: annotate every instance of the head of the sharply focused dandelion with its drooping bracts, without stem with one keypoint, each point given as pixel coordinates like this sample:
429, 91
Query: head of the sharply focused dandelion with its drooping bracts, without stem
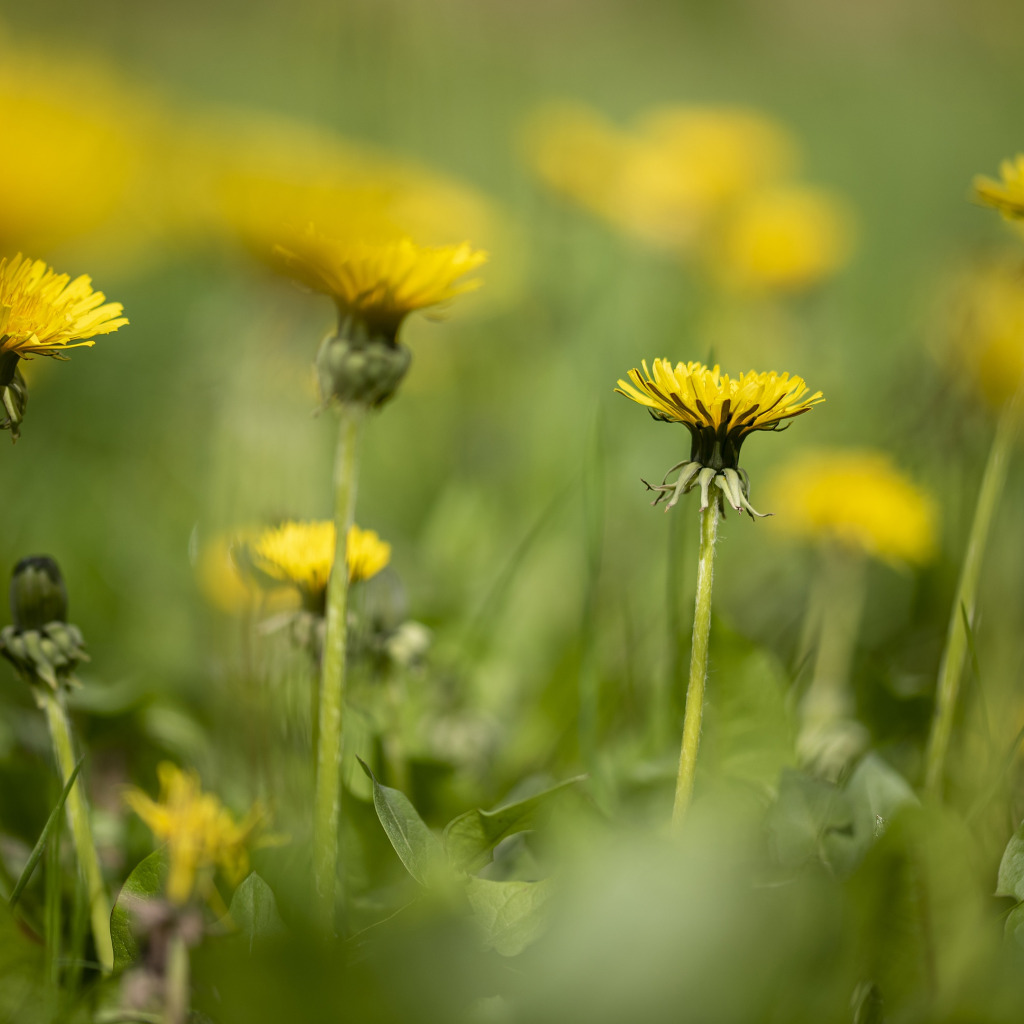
719, 413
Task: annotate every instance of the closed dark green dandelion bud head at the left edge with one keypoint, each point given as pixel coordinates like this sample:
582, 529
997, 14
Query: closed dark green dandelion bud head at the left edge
41, 645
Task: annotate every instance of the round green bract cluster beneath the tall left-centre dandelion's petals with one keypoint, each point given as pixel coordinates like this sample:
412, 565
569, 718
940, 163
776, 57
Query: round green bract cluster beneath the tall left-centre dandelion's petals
358, 365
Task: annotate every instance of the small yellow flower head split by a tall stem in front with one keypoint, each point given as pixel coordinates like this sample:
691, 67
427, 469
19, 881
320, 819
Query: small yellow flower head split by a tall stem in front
303, 554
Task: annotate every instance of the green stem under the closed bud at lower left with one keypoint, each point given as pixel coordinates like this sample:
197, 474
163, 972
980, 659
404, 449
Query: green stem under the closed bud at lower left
78, 817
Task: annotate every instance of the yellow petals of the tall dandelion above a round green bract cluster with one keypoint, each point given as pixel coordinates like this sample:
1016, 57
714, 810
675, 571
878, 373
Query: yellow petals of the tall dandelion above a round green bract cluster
380, 283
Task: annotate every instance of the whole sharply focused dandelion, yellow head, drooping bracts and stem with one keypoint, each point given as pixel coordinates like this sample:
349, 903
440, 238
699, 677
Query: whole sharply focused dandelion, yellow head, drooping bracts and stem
720, 413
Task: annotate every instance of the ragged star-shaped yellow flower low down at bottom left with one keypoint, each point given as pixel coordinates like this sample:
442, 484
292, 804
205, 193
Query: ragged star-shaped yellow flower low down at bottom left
199, 831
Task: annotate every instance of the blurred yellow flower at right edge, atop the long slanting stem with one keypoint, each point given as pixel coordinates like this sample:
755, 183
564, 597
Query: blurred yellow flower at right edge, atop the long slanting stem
989, 330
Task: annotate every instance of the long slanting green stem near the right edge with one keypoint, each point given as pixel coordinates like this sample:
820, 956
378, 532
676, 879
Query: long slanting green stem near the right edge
952, 667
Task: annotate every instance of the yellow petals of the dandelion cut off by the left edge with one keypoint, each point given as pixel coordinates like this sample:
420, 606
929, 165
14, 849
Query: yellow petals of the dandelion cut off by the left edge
44, 313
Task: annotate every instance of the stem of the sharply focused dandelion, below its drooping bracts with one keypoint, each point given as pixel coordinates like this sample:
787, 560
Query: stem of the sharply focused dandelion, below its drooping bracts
699, 664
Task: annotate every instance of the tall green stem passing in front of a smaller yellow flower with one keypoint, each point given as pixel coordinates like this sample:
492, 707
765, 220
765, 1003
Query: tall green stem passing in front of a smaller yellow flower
327, 800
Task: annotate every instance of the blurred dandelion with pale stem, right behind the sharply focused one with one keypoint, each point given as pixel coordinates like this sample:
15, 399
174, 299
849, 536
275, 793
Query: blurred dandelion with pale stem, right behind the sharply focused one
855, 505
